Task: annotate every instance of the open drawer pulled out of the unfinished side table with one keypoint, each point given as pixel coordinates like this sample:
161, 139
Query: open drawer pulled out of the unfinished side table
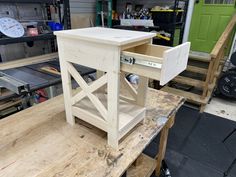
156, 62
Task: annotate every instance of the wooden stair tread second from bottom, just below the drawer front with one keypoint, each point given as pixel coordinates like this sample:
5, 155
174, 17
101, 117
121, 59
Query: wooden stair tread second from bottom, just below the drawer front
189, 81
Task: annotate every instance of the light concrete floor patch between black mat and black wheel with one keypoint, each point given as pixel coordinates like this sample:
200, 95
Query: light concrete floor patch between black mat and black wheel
222, 108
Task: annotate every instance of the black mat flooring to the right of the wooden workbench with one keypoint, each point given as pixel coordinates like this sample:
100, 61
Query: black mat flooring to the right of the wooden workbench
199, 145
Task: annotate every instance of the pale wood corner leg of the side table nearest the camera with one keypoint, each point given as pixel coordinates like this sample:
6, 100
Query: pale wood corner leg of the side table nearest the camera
113, 90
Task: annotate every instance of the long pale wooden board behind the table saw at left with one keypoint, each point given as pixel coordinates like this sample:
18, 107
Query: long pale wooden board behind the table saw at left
28, 61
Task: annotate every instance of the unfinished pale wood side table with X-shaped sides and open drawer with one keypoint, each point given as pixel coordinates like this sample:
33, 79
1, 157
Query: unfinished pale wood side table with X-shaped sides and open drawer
105, 49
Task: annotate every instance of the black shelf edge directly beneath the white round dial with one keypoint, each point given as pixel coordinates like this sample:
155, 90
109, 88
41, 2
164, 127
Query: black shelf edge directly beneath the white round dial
6, 40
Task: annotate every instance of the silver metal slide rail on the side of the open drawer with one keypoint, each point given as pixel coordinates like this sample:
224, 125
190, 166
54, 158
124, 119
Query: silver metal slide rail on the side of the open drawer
131, 61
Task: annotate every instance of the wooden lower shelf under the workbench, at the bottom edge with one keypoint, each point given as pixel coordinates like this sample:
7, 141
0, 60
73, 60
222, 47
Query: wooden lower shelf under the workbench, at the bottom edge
144, 168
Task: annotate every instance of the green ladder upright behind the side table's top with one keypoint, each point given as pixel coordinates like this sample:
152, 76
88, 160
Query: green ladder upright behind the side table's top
104, 13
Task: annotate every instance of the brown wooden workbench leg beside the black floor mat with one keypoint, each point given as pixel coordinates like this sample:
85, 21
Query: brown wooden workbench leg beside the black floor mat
163, 143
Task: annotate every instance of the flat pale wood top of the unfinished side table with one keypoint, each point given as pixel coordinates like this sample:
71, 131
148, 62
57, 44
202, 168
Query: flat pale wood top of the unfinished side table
106, 35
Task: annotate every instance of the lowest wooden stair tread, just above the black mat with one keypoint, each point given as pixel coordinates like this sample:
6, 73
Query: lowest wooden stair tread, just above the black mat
188, 95
